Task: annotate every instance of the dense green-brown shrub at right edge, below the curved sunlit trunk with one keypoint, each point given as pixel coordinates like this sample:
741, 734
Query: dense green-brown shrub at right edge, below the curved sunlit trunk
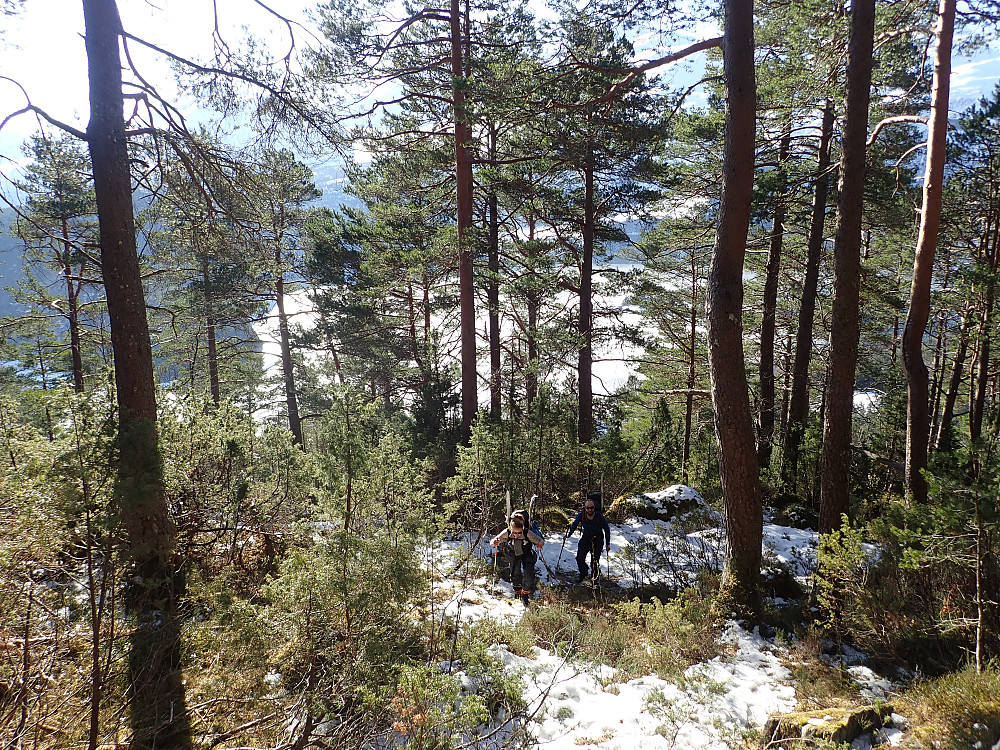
911, 596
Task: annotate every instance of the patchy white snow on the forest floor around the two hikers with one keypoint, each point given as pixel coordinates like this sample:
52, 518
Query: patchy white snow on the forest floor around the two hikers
578, 704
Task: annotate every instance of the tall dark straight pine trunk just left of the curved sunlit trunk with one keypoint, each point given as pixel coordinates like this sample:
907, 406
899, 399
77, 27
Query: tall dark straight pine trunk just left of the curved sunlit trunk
845, 327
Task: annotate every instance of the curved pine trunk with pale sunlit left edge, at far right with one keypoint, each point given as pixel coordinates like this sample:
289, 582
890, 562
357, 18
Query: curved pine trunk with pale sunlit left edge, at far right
917, 407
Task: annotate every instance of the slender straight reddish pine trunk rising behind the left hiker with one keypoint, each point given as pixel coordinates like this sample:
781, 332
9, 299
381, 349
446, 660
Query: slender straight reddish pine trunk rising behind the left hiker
464, 216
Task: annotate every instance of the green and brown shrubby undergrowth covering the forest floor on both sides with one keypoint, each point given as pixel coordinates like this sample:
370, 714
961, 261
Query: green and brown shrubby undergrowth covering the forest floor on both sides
312, 609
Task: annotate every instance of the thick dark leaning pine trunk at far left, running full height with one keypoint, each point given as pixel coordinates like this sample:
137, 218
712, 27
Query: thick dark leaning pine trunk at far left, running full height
156, 691
